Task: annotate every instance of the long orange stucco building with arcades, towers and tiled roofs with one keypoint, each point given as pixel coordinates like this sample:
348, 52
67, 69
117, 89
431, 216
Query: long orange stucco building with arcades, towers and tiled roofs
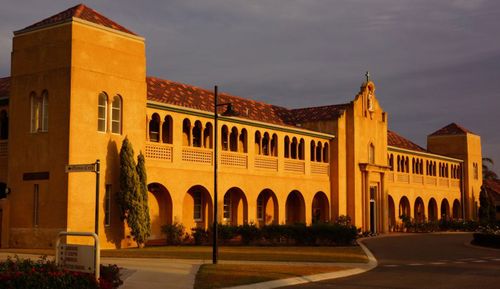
78, 86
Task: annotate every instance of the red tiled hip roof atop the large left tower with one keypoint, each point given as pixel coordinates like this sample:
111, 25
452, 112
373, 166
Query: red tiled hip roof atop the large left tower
79, 11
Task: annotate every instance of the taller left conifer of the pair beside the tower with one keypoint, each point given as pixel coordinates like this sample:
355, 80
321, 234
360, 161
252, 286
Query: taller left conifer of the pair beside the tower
130, 198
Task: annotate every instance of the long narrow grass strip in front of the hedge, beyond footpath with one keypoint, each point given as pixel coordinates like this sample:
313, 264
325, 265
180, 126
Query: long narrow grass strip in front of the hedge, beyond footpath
248, 253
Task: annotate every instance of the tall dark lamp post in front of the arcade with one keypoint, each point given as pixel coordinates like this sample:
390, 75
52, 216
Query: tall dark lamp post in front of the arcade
229, 112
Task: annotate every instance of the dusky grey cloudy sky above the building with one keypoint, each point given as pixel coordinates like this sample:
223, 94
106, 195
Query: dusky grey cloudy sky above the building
433, 62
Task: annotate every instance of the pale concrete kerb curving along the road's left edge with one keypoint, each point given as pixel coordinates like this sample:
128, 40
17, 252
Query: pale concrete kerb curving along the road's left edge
361, 268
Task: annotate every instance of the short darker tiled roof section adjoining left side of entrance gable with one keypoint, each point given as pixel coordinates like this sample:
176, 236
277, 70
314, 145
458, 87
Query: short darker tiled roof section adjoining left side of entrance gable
301, 115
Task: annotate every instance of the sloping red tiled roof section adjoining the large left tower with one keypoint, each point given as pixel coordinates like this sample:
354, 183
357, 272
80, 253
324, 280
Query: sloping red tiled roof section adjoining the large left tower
180, 94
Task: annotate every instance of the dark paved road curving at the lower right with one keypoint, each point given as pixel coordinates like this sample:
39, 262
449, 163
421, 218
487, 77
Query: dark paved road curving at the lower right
424, 261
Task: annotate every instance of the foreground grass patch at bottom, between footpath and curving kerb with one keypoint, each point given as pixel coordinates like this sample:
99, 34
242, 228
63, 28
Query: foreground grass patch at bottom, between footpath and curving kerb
227, 275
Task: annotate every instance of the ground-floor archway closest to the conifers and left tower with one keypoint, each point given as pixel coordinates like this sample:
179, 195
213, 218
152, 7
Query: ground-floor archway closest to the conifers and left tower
160, 209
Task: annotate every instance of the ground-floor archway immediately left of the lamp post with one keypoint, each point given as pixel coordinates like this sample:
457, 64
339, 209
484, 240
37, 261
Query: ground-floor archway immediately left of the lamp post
197, 209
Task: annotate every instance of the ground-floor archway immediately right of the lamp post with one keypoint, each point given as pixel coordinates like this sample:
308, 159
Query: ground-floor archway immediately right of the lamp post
235, 207
